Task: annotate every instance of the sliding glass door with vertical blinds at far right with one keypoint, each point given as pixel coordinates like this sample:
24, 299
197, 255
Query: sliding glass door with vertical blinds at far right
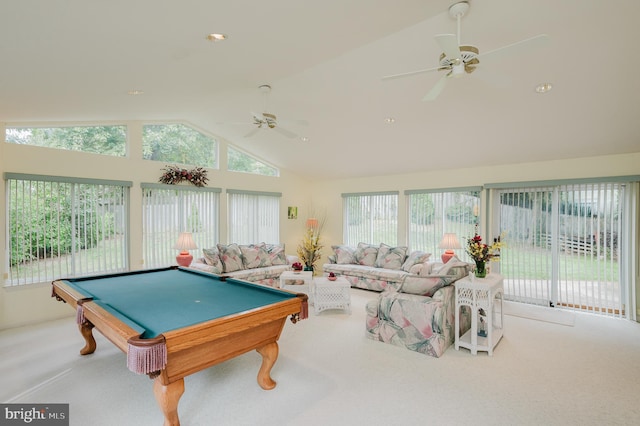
563, 245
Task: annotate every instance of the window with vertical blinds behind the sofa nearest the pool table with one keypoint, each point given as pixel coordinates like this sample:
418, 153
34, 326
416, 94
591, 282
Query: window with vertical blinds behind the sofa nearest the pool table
254, 217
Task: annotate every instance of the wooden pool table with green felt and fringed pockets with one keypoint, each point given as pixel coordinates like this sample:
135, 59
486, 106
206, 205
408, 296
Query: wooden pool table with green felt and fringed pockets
173, 322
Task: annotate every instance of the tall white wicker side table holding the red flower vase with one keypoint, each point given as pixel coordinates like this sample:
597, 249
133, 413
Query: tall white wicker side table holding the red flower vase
485, 294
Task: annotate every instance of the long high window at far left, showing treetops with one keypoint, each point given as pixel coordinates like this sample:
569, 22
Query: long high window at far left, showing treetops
106, 140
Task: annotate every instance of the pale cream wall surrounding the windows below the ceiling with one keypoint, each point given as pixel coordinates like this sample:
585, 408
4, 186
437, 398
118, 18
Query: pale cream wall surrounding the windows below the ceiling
20, 306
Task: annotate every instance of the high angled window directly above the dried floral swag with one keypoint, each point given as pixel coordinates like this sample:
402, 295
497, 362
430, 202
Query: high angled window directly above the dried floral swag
177, 143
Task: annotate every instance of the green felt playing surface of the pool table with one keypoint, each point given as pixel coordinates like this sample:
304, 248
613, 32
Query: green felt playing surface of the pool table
158, 301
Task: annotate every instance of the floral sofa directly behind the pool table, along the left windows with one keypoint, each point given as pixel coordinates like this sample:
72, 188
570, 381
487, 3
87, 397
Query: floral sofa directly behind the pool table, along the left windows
260, 263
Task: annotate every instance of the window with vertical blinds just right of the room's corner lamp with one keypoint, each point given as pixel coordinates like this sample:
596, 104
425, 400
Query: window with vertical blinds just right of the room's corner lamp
370, 218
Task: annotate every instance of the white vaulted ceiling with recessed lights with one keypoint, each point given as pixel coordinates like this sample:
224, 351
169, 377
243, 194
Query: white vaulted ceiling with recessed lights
76, 60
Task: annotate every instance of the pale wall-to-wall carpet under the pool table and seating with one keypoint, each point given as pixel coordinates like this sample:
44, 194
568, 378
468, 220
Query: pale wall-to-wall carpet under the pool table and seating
328, 372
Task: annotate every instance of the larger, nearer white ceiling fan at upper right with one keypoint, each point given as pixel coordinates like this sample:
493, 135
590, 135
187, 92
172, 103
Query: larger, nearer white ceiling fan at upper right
458, 59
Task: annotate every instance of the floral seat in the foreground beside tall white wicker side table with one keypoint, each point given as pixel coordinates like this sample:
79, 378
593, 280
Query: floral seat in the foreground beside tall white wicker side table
419, 315
